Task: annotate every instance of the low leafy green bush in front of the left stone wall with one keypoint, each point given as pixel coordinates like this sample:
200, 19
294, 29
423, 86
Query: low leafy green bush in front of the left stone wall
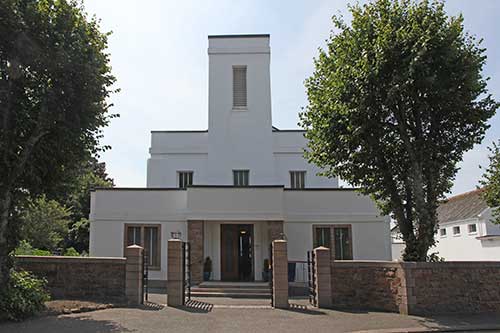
24, 296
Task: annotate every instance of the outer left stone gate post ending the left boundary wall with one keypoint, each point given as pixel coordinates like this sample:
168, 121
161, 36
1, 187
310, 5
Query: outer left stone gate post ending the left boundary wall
133, 275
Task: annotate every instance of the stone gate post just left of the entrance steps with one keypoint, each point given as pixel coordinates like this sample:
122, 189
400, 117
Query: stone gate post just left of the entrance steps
175, 278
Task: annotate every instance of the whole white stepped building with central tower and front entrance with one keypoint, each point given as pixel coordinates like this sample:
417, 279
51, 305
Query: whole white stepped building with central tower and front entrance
231, 189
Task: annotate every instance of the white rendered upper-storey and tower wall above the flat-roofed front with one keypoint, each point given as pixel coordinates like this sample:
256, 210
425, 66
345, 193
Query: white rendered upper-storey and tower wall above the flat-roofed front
235, 139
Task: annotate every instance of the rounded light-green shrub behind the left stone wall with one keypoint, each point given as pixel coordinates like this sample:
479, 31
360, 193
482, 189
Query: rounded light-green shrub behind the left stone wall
45, 223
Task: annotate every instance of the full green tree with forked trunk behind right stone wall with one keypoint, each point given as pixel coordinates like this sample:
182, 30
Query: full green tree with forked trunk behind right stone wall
395, 100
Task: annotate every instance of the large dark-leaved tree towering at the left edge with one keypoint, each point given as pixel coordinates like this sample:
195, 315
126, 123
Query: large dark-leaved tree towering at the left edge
55, 79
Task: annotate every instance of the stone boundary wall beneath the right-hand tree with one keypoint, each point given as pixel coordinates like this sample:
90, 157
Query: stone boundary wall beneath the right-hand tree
416, 288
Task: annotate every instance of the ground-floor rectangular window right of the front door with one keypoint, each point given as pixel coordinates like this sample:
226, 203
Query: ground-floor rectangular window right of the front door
338, 238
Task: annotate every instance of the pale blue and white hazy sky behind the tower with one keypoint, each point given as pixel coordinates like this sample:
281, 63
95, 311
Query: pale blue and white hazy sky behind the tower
158, 52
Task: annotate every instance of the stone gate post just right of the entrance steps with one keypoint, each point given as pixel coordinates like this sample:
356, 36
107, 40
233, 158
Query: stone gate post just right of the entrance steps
280, 274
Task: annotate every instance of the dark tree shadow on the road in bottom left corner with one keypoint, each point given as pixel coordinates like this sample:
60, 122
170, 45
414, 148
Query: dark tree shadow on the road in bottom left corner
52, 324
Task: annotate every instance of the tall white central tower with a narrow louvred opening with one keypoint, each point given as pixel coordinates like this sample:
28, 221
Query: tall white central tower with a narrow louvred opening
239, 109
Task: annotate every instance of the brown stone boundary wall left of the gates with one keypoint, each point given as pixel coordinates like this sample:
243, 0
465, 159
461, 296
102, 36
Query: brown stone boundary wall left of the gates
79, 277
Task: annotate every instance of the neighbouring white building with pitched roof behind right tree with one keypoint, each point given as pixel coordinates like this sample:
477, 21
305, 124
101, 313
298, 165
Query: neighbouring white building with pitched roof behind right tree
465, 231
